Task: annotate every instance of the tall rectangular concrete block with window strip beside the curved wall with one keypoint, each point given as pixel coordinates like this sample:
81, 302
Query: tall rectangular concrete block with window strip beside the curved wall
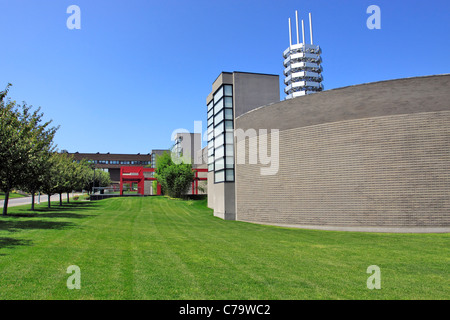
233, 94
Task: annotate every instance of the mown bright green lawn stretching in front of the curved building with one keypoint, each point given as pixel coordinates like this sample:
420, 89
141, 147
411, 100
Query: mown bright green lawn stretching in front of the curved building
156, 248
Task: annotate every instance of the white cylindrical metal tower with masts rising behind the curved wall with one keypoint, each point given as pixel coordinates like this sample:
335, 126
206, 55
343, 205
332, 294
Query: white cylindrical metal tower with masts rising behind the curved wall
302, 61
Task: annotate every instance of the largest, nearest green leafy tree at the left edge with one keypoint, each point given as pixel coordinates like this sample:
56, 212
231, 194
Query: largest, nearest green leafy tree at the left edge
23, 138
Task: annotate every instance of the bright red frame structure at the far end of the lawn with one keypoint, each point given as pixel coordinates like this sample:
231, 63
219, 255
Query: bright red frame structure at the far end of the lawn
135, 177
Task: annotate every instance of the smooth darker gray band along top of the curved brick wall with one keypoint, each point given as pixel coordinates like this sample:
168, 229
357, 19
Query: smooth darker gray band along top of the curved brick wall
401, 96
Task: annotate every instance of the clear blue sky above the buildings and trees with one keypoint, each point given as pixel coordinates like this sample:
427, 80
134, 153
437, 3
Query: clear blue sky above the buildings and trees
137, 70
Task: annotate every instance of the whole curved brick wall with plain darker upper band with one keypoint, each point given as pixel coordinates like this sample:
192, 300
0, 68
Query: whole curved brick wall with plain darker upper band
374, 155
